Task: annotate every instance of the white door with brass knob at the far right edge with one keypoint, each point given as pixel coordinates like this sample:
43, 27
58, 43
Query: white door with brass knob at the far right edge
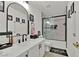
77, 28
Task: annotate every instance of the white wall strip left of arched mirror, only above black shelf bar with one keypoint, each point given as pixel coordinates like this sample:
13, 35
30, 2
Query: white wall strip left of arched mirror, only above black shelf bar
3, 18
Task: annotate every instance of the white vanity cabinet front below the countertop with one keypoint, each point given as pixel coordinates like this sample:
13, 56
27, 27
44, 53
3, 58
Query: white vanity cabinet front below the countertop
36, 51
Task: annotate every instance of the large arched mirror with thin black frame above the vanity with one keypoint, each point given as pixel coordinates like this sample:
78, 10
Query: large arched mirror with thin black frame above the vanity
17, 20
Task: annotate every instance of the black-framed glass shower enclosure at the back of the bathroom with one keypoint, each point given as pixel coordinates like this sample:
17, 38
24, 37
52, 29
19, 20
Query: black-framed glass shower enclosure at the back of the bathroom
54, 28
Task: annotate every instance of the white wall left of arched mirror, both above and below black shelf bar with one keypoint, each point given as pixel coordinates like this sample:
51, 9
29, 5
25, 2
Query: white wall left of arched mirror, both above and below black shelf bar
3, 39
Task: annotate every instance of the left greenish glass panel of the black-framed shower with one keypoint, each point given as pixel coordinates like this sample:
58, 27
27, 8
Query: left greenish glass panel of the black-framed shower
47, 28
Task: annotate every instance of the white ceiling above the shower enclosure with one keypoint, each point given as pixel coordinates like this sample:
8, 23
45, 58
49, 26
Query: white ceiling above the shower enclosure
50, 8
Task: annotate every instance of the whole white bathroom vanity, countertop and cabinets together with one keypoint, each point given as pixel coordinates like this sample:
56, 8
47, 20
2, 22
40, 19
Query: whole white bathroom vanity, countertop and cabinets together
30, 48
